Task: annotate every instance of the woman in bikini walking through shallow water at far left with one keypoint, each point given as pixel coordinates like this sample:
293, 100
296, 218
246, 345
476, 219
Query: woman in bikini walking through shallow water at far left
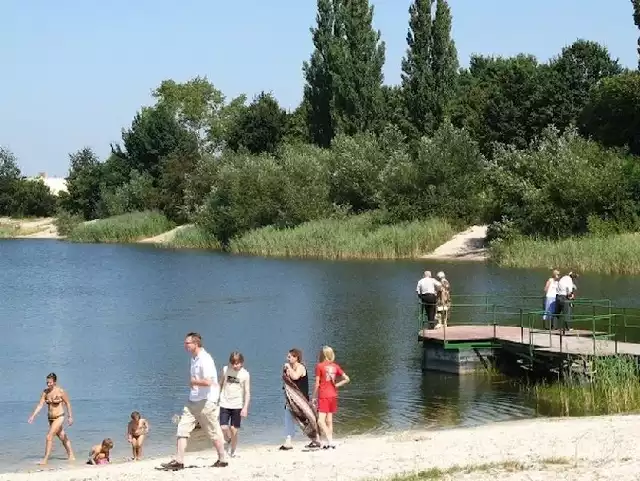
56, 398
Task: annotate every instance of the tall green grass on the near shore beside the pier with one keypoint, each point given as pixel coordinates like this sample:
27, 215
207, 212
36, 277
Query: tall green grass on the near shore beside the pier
613, 387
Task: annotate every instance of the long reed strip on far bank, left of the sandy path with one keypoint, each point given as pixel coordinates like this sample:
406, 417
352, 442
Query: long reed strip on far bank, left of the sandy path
354, 237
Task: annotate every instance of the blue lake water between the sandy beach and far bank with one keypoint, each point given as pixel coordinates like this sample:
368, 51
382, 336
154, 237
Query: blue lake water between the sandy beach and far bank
110, 320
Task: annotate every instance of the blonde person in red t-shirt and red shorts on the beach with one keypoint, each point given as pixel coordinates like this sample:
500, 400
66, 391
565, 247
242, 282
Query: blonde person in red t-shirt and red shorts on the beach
329, 377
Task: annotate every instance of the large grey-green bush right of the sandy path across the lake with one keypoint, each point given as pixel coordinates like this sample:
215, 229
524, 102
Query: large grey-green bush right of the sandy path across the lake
556, 187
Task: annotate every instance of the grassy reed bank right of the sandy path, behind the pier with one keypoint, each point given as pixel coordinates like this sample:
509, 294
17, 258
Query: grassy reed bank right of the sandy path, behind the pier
615, 254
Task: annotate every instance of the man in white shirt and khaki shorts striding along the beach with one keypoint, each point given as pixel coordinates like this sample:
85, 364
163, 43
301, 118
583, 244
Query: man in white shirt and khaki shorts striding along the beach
202, 406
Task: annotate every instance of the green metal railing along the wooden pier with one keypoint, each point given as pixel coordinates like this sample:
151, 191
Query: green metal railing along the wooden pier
596, 319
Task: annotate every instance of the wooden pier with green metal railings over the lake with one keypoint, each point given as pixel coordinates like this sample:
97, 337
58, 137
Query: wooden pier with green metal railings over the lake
479, 333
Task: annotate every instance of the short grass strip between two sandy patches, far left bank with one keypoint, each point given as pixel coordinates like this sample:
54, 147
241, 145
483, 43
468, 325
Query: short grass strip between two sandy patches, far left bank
122, 228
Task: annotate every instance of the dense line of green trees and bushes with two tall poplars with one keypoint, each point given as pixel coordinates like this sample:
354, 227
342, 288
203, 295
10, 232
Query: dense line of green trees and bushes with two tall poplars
535, 148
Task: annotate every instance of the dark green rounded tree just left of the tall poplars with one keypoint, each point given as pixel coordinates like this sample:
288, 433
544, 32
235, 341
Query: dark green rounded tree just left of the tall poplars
260, 128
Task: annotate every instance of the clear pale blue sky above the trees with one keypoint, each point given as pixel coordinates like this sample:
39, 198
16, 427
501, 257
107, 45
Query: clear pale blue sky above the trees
75, 72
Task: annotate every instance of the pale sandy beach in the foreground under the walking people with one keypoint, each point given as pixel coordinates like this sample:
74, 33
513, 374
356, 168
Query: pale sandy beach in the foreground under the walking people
594, 448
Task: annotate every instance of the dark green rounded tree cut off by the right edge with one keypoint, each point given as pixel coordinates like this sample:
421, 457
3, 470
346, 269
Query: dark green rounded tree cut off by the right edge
612, 114
